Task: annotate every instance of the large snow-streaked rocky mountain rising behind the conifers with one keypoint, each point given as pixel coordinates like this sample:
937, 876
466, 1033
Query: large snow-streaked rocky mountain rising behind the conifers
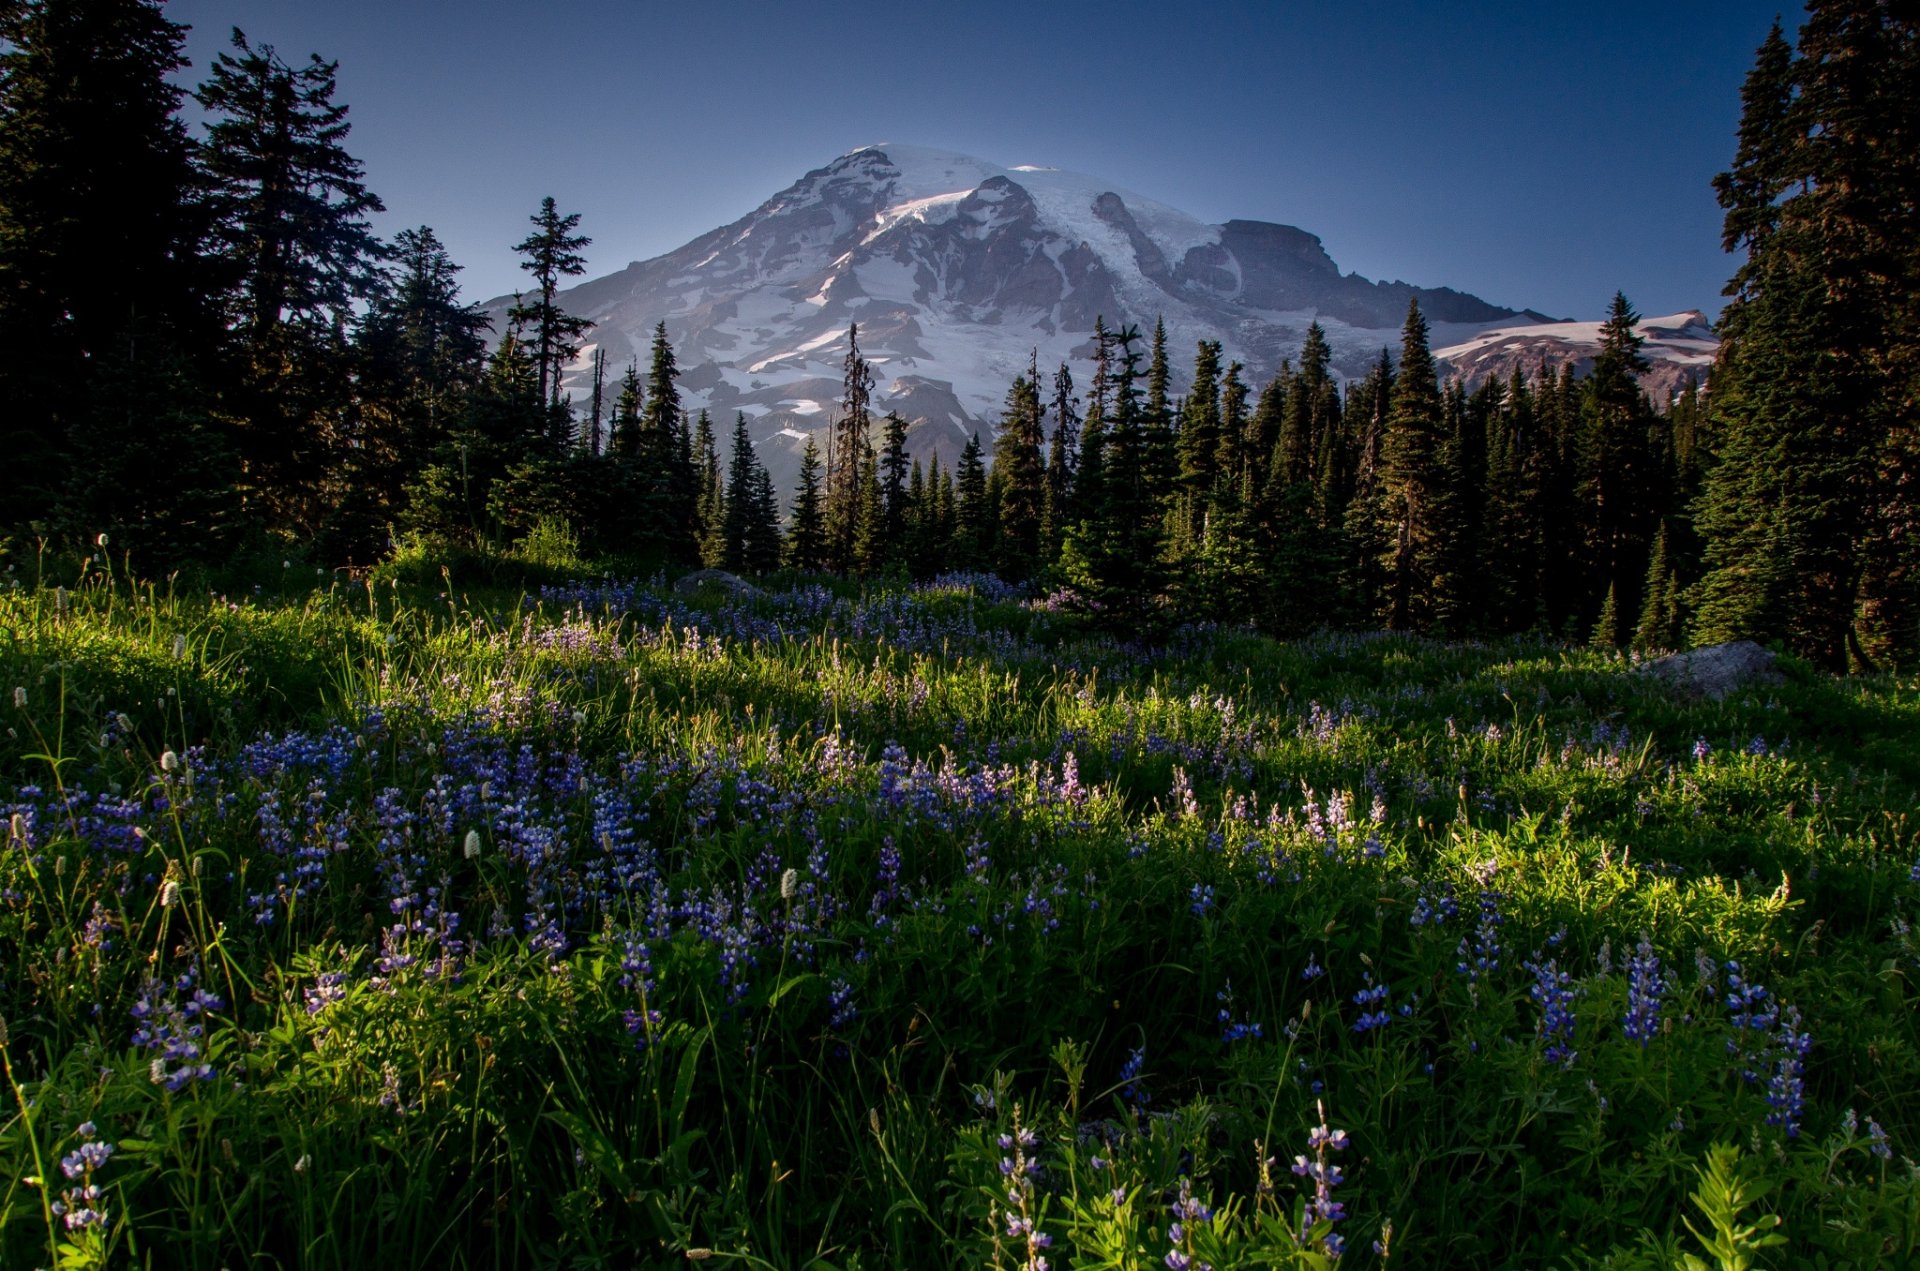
961, 272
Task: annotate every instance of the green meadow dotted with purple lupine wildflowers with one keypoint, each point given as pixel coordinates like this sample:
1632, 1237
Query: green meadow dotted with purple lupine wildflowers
412, 923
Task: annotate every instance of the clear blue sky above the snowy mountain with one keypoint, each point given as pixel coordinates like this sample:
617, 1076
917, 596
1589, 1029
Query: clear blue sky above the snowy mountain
1535, 155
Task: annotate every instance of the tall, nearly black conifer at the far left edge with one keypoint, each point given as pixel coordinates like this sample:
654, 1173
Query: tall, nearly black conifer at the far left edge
105, 333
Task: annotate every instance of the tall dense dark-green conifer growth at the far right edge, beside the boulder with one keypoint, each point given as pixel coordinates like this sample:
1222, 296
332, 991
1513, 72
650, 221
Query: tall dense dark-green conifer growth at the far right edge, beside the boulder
1810, 510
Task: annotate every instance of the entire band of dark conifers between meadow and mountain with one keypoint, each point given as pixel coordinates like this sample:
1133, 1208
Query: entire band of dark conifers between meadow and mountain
203, 345
